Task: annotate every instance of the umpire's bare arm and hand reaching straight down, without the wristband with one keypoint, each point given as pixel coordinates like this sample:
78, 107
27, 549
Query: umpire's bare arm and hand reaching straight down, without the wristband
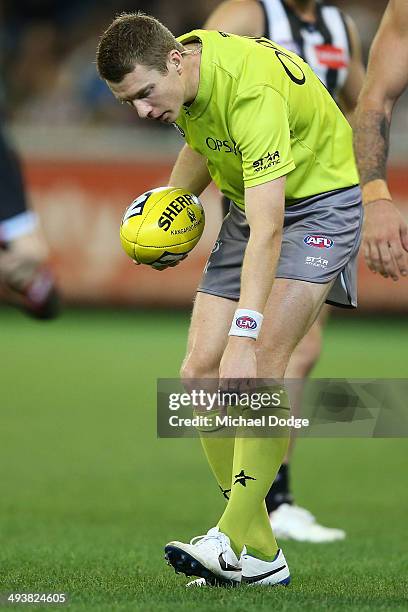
264, 206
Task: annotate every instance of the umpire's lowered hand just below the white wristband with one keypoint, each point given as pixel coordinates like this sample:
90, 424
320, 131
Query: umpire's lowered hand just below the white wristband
238, 362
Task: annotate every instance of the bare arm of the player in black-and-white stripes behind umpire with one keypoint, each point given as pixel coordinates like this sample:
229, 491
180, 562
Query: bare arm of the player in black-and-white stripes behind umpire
355, 77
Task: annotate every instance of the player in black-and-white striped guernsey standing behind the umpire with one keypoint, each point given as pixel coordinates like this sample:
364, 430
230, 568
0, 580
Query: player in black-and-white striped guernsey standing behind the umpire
328, 40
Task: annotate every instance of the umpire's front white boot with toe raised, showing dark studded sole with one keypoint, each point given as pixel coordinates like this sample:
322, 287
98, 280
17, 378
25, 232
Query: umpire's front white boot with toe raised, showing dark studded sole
210, 557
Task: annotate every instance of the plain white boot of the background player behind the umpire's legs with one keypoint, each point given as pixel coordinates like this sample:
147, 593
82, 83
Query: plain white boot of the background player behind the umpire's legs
296, 523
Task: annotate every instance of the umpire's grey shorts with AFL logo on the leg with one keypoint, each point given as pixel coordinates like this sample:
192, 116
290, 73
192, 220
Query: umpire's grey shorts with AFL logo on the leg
321, 238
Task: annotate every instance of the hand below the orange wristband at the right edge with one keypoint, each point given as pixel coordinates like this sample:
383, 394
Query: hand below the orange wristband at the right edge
385, 239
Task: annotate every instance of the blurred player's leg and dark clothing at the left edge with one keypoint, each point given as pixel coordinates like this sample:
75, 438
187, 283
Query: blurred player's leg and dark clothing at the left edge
24, 275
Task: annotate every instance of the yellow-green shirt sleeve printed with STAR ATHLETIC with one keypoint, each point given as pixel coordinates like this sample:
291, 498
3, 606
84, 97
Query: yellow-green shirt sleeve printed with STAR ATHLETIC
260, 127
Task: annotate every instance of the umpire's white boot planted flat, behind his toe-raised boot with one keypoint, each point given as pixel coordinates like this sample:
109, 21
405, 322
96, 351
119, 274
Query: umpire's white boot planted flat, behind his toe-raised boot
258, 572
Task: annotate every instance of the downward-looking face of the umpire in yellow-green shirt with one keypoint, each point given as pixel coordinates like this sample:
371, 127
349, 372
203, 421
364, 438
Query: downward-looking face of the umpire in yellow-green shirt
152, 94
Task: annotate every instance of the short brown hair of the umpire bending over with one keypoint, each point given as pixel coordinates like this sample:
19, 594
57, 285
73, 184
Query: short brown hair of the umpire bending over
134, 38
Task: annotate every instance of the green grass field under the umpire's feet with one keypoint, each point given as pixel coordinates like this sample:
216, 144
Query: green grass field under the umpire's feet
89, 496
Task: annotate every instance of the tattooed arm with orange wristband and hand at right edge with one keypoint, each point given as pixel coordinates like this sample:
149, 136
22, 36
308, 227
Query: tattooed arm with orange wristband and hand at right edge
385, 238
